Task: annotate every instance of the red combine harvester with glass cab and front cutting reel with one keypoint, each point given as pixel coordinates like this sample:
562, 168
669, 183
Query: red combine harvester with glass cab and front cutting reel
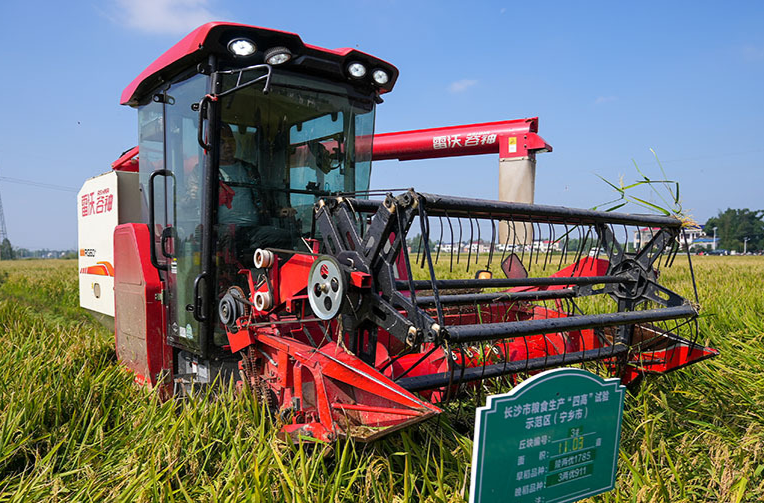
244, 244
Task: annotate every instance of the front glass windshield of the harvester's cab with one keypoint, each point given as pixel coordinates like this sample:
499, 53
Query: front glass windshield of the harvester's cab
283, 150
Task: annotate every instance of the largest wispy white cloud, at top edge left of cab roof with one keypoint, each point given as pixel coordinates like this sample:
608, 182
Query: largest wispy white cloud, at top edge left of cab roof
173, 17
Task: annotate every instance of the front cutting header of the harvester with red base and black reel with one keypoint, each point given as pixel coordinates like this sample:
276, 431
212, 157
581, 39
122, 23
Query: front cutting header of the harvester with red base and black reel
373, 333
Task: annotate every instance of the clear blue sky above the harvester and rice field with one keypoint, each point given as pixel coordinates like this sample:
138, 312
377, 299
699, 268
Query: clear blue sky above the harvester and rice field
608, 80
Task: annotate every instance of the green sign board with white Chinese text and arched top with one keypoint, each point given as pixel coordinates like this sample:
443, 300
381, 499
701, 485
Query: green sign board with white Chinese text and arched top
552, 439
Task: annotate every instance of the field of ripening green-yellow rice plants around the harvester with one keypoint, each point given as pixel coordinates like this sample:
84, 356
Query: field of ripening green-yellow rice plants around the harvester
73, 427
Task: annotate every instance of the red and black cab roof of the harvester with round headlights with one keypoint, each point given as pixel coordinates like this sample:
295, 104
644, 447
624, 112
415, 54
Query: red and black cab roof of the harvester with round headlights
213, 38
